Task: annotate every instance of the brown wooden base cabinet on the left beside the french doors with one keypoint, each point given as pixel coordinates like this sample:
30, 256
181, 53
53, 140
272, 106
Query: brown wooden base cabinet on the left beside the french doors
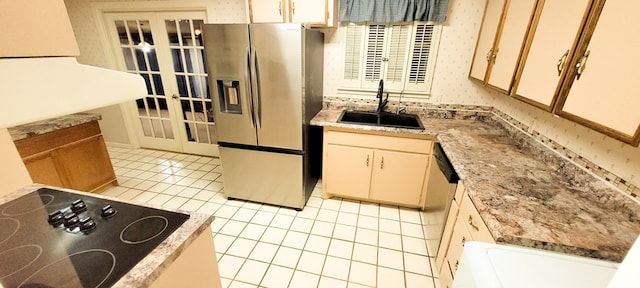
75, 157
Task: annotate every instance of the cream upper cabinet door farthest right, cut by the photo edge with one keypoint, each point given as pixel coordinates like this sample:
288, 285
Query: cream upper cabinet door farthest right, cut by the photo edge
604, 94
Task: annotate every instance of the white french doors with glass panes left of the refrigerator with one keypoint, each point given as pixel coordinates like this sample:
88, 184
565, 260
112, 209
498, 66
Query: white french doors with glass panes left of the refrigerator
165, 48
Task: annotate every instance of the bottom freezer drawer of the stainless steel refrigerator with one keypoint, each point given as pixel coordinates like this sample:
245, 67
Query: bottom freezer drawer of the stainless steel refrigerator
265, 177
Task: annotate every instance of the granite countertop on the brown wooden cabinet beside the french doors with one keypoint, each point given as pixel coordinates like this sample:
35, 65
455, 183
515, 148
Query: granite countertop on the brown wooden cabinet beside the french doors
50, 125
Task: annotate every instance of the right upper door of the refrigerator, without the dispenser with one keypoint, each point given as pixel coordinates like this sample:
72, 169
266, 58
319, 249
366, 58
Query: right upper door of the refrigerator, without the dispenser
278, 62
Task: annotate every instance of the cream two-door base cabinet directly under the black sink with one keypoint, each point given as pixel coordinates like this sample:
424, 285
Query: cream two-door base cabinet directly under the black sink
375, 167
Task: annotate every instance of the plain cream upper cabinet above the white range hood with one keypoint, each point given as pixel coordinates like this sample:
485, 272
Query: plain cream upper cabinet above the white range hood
36, 28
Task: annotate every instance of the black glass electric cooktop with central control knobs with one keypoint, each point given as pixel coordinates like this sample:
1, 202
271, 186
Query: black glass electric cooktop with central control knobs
52, 238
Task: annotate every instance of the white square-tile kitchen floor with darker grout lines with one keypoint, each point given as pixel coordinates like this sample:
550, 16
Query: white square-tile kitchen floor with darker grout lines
331, 243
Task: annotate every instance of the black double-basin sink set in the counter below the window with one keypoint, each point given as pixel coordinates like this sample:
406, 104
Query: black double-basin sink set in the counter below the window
385, 119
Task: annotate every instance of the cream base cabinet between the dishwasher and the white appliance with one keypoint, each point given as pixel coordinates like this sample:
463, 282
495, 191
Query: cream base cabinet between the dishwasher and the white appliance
462, 226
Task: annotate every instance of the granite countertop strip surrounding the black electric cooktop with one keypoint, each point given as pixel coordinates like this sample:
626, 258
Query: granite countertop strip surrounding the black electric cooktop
154, 264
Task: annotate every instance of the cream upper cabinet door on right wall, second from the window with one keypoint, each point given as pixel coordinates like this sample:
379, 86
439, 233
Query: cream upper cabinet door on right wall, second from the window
512, 33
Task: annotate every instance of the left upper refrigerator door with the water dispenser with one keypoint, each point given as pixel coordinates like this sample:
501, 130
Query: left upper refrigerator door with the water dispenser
228, 56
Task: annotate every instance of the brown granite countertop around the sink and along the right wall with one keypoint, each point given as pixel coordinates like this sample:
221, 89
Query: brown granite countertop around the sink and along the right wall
527, 194
